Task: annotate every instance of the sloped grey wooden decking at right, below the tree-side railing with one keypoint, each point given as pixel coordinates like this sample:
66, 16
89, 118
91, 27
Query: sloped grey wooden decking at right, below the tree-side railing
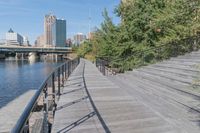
170, 88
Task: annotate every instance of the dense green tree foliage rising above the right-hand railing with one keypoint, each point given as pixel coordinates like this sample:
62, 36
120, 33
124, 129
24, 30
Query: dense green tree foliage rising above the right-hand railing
145, 26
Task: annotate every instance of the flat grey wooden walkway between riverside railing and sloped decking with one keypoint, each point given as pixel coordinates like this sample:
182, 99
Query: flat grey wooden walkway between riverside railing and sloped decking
112, 108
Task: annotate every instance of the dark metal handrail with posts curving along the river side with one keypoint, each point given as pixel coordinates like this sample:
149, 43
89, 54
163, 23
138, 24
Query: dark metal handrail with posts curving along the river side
58, 76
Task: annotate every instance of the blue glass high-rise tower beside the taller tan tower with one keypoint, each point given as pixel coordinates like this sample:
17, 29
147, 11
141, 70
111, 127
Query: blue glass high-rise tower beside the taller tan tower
59, 33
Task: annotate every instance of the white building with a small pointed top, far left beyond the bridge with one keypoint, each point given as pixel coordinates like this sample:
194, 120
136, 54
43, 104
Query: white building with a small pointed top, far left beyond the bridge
13, 38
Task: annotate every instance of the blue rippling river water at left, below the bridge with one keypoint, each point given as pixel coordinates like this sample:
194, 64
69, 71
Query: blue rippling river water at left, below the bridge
17, 77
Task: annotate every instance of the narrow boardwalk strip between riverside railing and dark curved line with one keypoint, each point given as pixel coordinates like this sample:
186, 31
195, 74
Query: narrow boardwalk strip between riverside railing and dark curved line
81, 104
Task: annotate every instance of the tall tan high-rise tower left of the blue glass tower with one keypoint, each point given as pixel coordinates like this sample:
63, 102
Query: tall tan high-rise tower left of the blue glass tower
48, 22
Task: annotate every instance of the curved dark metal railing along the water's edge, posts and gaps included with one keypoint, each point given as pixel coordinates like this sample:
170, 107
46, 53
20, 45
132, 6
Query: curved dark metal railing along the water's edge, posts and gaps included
38, 114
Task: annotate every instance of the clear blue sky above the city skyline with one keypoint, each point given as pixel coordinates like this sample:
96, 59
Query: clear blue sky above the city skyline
27, 16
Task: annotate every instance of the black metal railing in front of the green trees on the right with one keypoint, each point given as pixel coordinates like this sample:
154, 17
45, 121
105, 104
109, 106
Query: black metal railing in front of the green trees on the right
150, 55
